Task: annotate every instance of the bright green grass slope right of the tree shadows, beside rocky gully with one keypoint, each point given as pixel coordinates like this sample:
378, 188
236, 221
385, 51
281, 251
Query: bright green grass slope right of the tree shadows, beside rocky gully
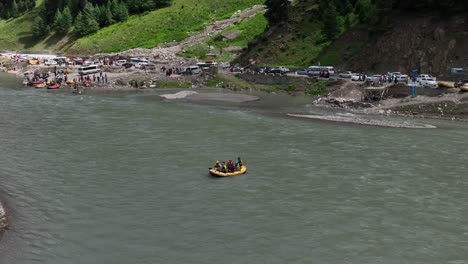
164, 25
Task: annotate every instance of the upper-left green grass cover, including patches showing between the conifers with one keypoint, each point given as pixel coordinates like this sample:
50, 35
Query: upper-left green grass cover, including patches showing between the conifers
175, 22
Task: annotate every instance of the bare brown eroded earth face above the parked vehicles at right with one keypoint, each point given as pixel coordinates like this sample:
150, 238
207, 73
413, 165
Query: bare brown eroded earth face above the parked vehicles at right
431, 43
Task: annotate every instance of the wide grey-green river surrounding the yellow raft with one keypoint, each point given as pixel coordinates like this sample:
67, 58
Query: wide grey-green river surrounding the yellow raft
122, 178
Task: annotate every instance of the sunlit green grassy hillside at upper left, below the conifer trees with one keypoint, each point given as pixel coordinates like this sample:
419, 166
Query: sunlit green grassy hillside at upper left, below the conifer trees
148, 30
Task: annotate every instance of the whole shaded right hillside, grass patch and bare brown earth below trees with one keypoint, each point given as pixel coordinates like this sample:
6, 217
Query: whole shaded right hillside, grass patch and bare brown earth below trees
411, 36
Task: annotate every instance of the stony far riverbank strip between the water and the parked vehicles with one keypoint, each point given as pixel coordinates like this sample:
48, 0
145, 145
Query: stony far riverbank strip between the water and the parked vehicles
450, 104
